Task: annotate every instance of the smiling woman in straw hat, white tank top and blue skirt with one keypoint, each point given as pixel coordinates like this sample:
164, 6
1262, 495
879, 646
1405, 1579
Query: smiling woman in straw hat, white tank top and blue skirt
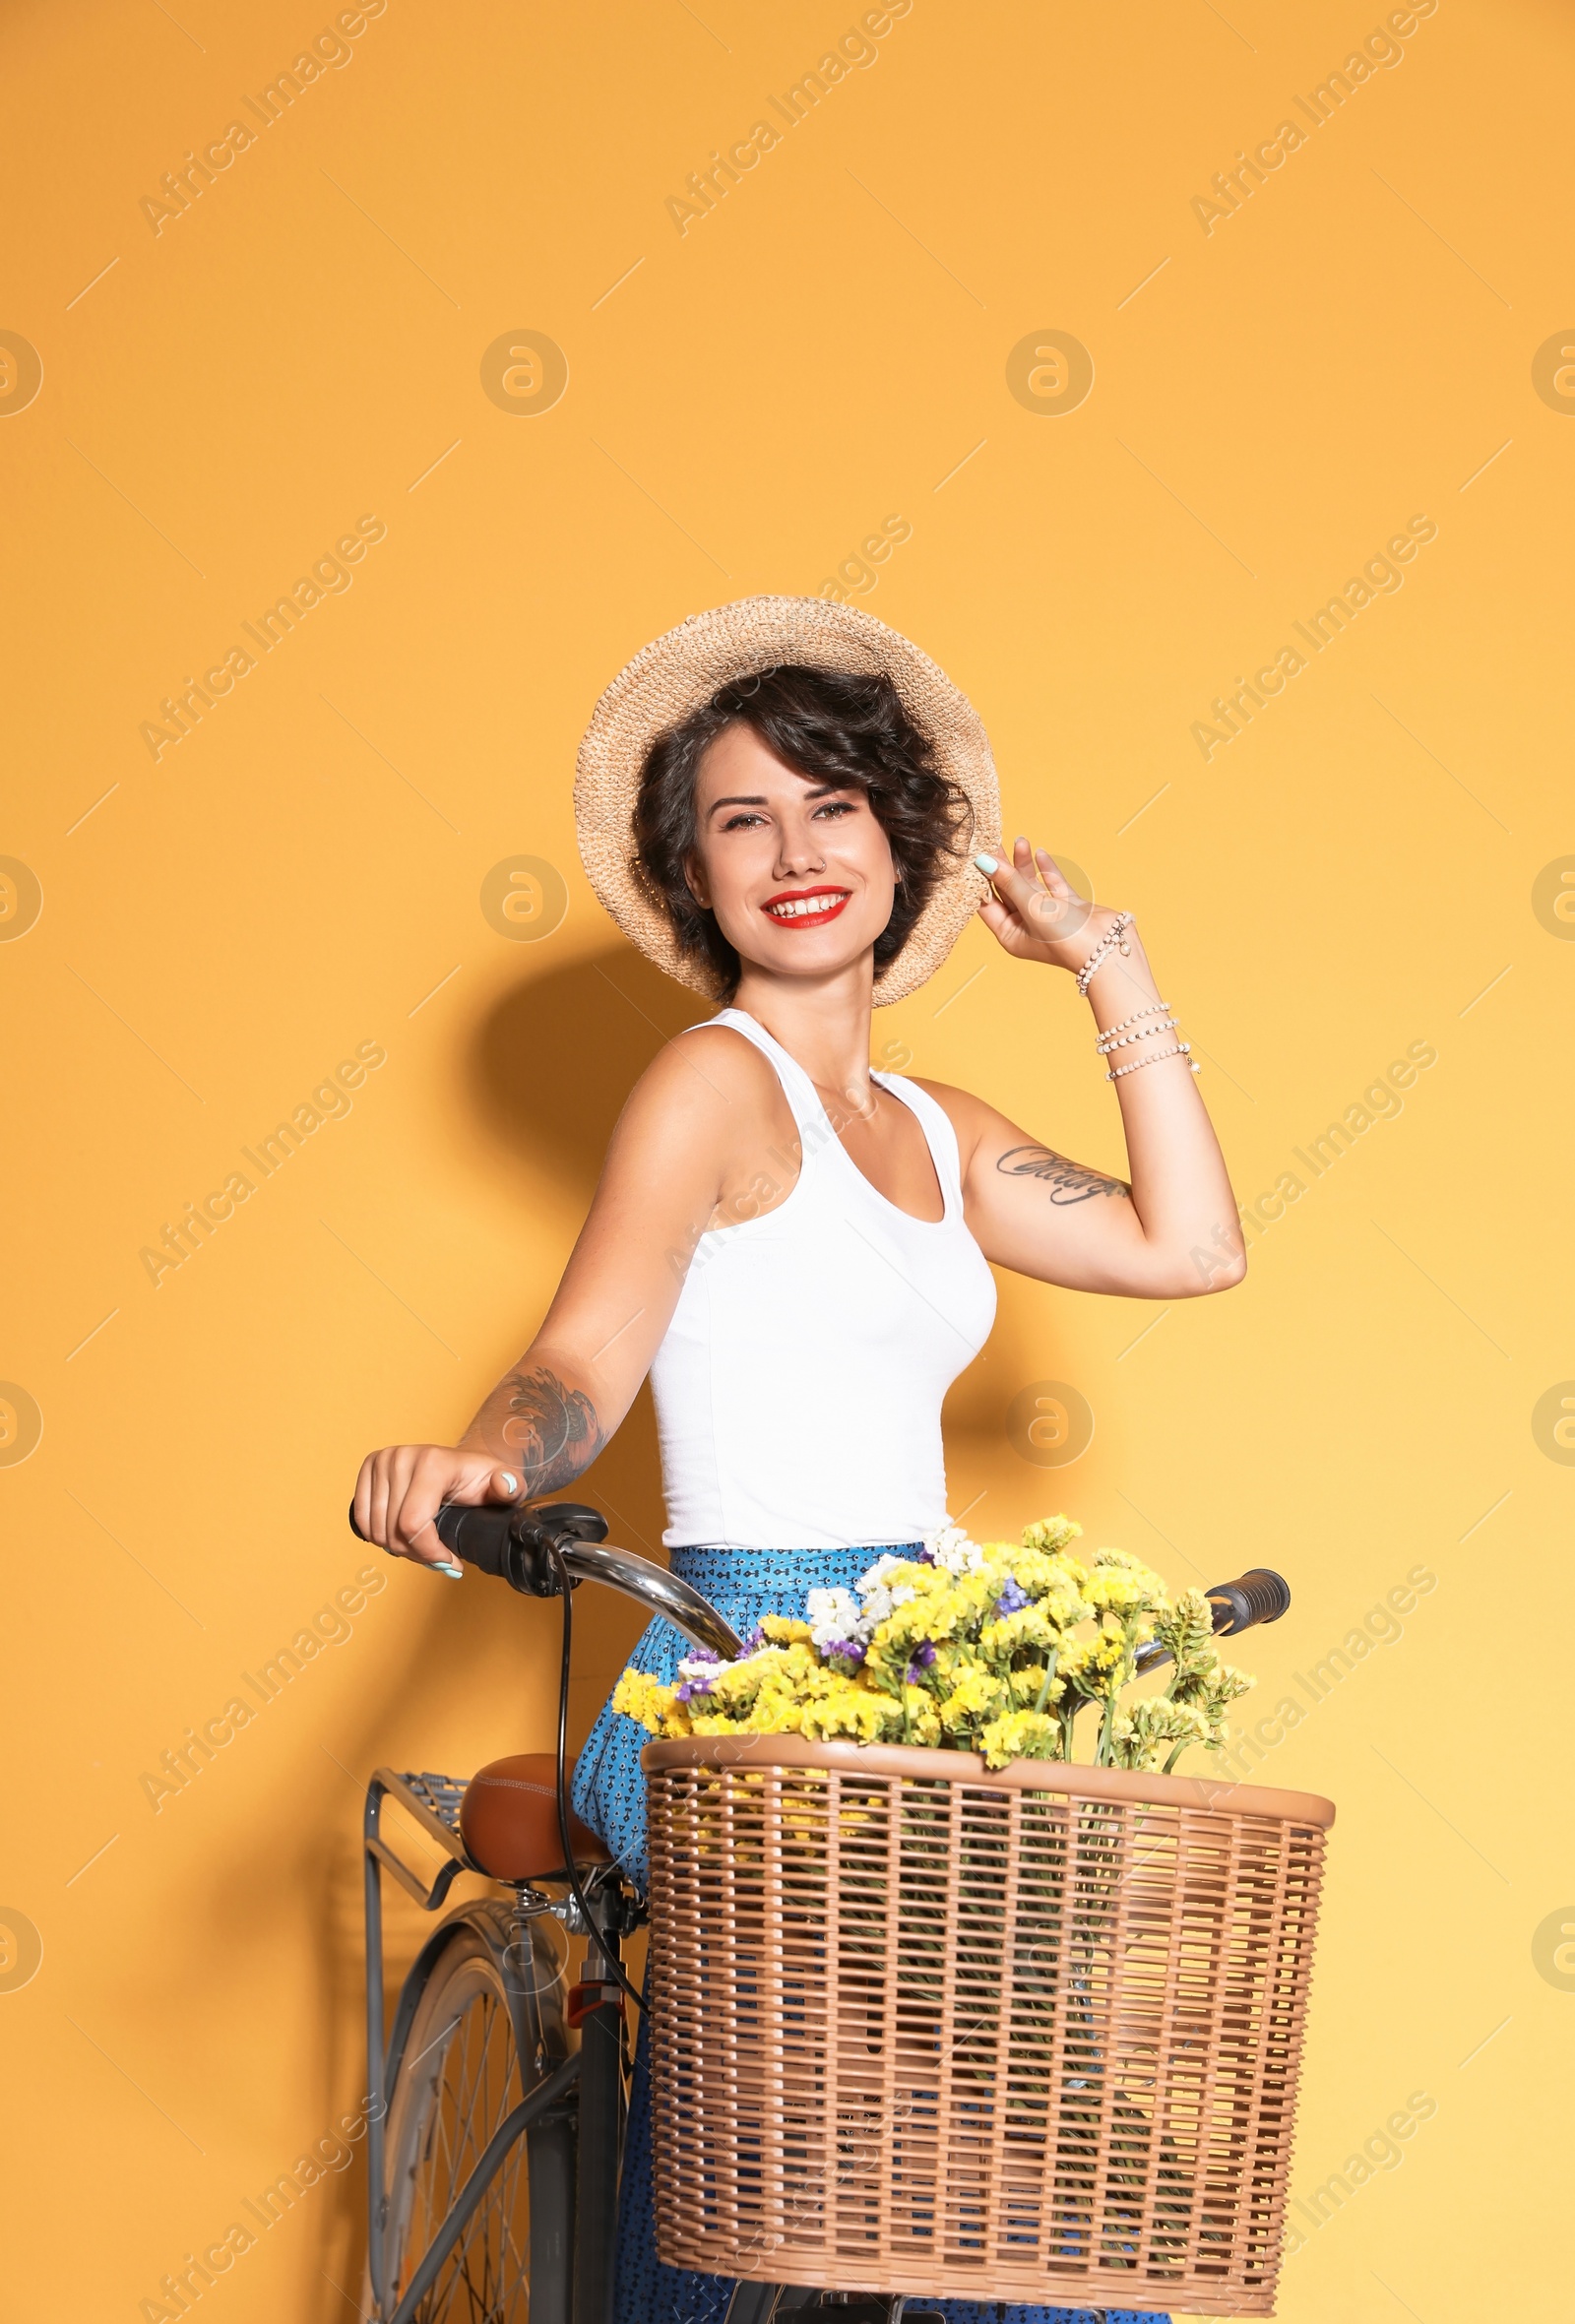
786, 805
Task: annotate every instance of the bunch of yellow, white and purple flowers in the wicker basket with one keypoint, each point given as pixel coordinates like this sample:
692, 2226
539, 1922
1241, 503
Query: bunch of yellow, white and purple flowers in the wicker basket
993, 1649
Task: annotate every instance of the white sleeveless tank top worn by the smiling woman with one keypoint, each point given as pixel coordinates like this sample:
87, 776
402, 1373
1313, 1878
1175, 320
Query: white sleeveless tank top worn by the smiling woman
800, 1382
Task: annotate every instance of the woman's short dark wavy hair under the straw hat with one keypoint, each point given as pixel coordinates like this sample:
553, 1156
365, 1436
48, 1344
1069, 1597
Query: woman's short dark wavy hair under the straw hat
833, 729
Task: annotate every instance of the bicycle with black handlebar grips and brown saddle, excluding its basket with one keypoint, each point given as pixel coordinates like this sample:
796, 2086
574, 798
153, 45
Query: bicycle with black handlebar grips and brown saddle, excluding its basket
480, 2067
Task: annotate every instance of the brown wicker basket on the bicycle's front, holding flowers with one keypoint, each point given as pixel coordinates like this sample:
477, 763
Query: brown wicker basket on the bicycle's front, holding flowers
1002, 2037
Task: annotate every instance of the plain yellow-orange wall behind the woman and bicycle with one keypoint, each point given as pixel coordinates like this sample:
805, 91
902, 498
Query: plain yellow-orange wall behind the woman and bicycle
226, 392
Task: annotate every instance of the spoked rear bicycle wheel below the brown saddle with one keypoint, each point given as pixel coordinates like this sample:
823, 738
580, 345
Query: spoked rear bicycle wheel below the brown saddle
484, 2032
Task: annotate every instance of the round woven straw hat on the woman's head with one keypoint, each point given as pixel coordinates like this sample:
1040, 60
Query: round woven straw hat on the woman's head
684, 670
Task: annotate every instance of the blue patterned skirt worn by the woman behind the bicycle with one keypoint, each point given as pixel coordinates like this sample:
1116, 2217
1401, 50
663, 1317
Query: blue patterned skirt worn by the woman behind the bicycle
610, 1795
